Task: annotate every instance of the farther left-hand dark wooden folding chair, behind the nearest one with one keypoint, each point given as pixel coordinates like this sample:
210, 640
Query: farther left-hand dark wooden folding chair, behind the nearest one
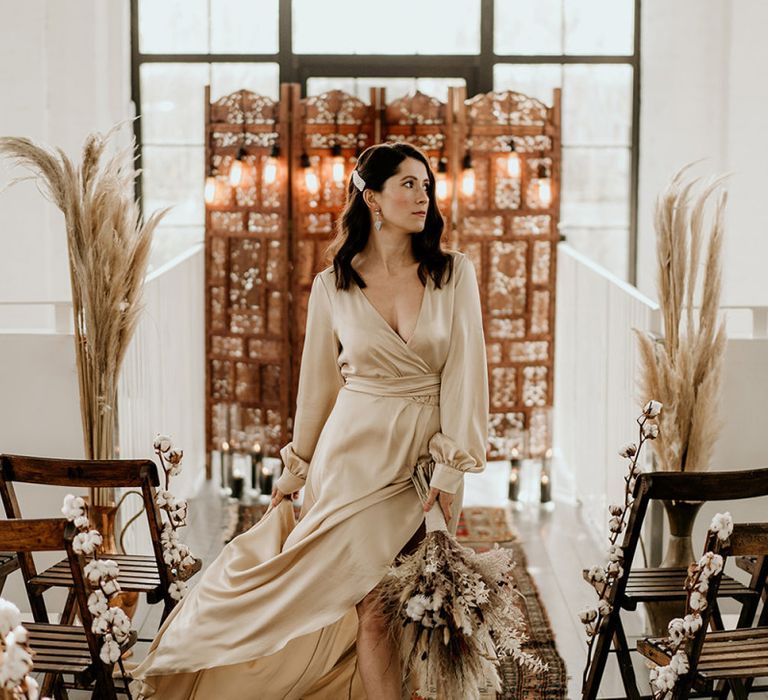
138, 572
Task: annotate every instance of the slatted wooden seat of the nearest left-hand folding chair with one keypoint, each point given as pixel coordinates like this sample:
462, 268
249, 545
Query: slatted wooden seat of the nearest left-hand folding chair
63, 648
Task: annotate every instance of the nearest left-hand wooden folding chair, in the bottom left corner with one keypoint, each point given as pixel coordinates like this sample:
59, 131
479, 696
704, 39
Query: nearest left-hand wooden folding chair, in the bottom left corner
63, 650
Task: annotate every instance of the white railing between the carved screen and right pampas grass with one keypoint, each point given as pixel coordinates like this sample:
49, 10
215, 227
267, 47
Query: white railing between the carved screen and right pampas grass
596, 370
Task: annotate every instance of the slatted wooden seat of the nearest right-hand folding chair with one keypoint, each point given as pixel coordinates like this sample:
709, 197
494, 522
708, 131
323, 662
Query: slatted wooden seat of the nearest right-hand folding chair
726, 654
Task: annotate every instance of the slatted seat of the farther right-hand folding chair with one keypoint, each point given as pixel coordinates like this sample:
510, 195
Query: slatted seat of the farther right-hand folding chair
646, 585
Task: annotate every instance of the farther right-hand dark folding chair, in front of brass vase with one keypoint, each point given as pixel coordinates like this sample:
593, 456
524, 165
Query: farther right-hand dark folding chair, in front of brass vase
644, 585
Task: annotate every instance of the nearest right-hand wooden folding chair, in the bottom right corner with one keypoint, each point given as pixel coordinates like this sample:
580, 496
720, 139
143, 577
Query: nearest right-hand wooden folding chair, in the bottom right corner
733, 657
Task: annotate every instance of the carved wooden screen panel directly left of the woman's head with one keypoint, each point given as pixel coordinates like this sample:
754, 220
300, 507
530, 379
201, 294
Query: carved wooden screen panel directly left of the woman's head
329, 130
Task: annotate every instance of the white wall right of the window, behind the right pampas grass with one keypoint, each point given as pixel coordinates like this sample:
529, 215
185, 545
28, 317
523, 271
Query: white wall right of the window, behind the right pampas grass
704, 95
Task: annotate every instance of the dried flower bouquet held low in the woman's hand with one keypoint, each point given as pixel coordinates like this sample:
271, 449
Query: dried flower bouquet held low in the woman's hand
453, 613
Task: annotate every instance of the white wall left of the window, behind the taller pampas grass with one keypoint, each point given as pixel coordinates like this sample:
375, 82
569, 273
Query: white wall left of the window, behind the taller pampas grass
65, 72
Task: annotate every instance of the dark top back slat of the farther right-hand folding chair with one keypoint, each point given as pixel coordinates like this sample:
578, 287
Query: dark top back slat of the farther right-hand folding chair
707, 486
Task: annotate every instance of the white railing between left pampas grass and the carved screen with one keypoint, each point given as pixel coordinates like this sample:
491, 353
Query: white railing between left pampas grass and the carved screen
162, 382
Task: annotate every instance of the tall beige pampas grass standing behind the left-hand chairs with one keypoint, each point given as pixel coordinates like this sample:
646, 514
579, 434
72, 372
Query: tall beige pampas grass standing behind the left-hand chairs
109, 247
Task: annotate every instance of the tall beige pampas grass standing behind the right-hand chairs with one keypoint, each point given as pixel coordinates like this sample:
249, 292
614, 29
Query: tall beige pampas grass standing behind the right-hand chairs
683, 371
